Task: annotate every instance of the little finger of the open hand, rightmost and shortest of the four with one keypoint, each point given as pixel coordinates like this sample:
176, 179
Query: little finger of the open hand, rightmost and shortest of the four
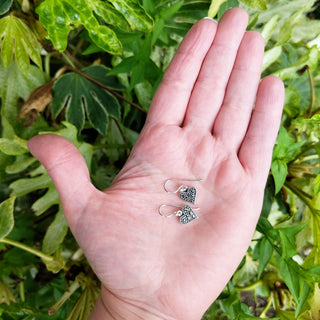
256, 150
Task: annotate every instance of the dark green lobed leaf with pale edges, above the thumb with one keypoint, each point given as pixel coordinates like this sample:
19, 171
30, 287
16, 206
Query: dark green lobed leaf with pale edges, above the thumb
80, 96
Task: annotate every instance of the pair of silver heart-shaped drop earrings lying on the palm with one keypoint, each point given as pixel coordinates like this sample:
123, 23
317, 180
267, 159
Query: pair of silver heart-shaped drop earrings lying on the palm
186, 193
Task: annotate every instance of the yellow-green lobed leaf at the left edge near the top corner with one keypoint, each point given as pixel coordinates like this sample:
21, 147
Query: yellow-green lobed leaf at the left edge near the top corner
16, 37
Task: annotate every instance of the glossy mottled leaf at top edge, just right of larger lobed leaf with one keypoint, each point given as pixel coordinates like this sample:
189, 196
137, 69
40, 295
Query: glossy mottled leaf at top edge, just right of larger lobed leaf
135, 14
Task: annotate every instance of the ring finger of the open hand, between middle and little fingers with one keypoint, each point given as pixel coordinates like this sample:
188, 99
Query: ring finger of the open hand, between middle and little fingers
232, 121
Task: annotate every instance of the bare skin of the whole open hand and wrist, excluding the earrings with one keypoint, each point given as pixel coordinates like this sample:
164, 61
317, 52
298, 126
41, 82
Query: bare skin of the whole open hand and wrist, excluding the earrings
211, 118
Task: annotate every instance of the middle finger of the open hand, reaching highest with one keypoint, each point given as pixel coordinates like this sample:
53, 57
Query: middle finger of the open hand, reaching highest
209, 90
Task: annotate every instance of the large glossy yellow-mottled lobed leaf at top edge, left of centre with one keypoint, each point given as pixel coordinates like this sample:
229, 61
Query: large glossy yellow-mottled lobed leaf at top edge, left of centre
59, 17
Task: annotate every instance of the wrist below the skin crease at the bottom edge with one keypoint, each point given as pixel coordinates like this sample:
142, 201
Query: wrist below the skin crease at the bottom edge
111, 307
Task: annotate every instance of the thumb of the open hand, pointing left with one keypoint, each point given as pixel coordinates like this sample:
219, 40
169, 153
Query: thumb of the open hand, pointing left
68, 170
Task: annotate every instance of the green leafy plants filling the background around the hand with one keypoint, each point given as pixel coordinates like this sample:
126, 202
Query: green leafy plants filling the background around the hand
118, 50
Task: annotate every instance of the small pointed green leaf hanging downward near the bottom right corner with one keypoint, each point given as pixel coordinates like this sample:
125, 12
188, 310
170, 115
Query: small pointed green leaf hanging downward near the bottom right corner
290, 276
